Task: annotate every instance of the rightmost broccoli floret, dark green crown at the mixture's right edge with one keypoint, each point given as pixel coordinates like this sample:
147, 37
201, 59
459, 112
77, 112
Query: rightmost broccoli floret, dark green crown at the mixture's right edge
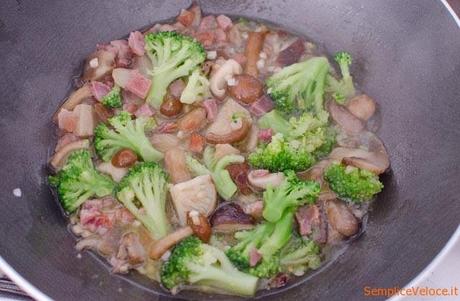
352, 183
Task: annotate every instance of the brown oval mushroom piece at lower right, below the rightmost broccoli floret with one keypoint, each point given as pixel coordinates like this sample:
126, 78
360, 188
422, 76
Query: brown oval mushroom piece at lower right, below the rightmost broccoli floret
341, 218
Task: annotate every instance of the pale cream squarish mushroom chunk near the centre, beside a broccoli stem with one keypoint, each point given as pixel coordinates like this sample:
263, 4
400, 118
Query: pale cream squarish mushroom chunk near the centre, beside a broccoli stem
196, 194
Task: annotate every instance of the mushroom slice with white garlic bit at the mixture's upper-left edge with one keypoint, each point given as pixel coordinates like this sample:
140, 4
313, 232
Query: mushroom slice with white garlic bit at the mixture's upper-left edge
98, 65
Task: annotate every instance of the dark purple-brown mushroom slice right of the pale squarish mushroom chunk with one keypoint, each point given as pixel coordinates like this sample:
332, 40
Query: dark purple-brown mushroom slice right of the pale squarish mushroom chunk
230, 217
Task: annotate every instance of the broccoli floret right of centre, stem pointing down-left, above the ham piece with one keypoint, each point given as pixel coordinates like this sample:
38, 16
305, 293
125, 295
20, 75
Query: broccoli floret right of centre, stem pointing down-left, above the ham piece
291, 193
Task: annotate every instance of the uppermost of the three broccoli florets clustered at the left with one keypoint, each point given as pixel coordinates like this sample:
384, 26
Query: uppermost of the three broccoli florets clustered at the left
126, 133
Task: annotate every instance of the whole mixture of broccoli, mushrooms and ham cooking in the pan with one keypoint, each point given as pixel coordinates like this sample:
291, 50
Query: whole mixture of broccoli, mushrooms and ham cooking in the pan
216, 154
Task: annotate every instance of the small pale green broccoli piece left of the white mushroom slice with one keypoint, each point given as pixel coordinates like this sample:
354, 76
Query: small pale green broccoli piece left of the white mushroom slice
197, 88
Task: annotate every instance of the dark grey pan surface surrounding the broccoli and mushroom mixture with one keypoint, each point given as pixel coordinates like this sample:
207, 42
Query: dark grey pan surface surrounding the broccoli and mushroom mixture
406, 56
